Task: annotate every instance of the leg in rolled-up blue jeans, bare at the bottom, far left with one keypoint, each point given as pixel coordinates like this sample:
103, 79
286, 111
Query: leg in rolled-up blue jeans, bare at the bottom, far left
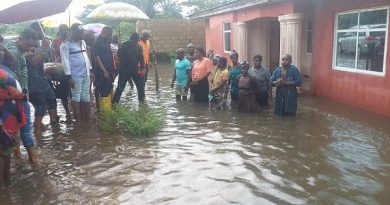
26, 134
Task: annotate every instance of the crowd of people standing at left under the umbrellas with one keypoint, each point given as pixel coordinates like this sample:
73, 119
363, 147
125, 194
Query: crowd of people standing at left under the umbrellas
37, 70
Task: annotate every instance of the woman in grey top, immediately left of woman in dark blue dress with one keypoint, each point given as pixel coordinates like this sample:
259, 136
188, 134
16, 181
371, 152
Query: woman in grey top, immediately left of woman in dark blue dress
263, 82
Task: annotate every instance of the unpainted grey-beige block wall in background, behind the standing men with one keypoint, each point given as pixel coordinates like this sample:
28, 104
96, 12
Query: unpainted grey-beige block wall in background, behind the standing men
171, 34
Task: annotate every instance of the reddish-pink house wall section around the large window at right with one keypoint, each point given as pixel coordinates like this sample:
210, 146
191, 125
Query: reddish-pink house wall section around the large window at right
361, 90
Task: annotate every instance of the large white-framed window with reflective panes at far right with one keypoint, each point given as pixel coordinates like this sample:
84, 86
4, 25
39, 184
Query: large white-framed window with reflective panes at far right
360, 40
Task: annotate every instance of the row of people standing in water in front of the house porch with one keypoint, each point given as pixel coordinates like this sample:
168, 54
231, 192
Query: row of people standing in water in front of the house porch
211, 79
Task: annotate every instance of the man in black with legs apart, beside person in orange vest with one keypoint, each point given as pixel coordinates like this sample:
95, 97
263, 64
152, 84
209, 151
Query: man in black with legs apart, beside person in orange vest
131, 57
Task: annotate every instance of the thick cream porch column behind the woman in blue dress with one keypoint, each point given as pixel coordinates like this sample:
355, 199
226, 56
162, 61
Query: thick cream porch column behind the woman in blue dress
291, 36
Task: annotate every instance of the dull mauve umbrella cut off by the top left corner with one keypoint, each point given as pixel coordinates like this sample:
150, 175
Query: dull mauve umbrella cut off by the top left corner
32, 9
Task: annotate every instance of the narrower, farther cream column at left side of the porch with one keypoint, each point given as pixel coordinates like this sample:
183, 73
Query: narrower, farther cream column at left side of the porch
241, 40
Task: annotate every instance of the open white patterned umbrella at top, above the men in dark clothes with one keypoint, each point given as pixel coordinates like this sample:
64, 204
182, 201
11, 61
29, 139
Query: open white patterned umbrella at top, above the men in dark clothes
118, 11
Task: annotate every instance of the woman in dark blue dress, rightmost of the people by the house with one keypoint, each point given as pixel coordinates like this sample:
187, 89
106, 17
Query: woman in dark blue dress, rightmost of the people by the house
286, 79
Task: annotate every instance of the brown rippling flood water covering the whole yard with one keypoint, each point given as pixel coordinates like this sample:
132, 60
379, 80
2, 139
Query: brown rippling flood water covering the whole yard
328, 154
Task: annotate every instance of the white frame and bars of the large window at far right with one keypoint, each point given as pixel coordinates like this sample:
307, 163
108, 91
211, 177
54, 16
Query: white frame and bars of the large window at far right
335, 43
